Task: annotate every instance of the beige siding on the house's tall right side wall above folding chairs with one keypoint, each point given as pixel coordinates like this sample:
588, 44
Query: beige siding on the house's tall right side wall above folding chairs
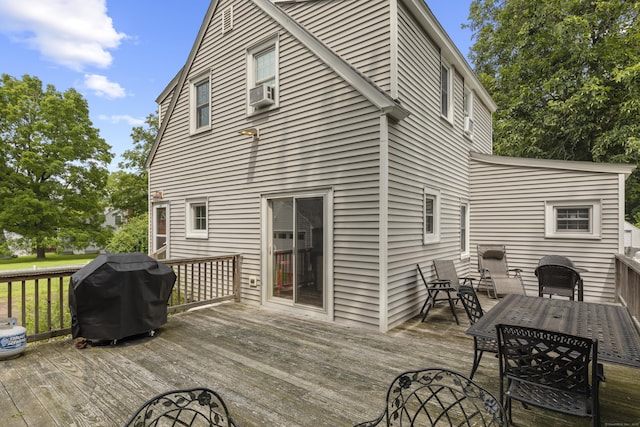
426, 151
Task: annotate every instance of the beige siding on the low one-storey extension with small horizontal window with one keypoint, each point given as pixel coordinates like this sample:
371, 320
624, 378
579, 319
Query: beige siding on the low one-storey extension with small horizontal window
508, 207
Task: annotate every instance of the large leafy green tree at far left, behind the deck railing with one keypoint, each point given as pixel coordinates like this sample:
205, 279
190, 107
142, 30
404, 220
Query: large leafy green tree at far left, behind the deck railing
53, 170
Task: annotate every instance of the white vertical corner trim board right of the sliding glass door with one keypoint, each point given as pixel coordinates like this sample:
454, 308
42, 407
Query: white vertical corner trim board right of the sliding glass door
383, 238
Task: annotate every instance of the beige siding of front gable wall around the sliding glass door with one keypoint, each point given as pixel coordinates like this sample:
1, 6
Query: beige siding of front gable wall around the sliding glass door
324, 135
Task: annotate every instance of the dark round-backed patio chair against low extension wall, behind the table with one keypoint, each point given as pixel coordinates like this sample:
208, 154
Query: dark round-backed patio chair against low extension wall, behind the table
557, 275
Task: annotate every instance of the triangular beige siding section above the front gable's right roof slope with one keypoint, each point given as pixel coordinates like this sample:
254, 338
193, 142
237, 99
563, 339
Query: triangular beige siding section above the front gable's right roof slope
358, 31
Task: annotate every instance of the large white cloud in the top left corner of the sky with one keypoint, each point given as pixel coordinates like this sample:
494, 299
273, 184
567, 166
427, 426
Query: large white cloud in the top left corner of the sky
74, 33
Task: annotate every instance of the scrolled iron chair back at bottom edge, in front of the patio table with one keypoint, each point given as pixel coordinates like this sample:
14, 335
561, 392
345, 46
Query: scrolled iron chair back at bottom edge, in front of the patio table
440, 397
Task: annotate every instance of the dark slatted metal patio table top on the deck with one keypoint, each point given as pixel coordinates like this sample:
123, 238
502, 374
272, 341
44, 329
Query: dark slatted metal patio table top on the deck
618, 336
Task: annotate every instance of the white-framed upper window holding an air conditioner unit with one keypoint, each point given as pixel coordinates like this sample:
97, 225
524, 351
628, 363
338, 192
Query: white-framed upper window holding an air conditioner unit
262, 76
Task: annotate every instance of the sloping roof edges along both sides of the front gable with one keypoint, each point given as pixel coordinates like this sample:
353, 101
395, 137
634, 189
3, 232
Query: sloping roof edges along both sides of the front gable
368, 89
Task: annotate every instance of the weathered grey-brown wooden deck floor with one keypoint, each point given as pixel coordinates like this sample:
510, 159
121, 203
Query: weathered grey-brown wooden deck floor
271, 369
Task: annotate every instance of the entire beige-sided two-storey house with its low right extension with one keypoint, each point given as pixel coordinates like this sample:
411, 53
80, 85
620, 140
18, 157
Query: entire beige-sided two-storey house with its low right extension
336, 144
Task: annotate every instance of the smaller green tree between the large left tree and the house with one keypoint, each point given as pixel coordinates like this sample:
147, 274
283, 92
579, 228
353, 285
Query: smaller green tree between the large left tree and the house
128, 186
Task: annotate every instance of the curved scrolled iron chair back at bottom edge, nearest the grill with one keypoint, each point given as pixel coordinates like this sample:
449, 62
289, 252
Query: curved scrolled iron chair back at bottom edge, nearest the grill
190, 407
